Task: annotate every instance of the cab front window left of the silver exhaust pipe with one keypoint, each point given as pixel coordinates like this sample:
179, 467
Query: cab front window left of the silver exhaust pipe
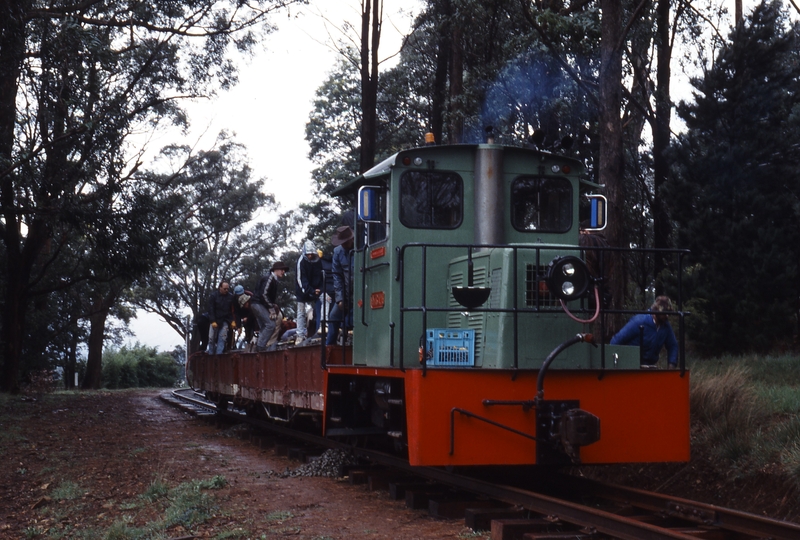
431, 200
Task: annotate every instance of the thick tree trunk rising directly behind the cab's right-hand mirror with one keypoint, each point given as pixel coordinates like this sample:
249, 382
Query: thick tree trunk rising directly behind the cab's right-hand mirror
611, 142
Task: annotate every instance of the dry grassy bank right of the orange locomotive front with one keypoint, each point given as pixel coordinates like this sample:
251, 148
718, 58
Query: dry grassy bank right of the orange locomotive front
746, 413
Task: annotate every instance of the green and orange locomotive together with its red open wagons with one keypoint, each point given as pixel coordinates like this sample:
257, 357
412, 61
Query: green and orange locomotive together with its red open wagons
469, 281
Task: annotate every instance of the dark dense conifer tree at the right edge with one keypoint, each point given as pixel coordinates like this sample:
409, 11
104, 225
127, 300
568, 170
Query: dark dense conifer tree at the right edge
733, 196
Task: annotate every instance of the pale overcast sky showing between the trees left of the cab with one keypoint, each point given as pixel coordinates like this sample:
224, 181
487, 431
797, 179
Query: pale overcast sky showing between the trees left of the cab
269, 108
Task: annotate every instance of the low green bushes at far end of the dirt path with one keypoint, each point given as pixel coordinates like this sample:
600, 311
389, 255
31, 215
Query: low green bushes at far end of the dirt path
139, 366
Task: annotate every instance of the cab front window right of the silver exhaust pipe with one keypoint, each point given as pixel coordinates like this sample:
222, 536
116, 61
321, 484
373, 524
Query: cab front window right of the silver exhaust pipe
541, 204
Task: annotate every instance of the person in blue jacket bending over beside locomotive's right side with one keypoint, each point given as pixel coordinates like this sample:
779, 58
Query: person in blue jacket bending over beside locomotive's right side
651, 331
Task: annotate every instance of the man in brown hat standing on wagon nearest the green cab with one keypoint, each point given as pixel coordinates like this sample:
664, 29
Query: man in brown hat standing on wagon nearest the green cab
342, 311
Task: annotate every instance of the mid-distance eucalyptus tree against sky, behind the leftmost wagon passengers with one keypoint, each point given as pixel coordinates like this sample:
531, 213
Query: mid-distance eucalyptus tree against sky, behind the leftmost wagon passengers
209, 236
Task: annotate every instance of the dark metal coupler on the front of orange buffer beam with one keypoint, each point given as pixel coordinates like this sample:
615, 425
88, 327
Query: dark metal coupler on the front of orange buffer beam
567, 427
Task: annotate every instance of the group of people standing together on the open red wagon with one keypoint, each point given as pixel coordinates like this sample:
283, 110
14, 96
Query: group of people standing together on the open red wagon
253, 319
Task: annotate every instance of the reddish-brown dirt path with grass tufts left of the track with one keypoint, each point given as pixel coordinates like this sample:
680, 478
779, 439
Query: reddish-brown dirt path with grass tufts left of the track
127, 465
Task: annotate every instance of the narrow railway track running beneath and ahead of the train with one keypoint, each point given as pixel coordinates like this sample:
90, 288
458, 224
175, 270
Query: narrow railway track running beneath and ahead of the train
611, 511
